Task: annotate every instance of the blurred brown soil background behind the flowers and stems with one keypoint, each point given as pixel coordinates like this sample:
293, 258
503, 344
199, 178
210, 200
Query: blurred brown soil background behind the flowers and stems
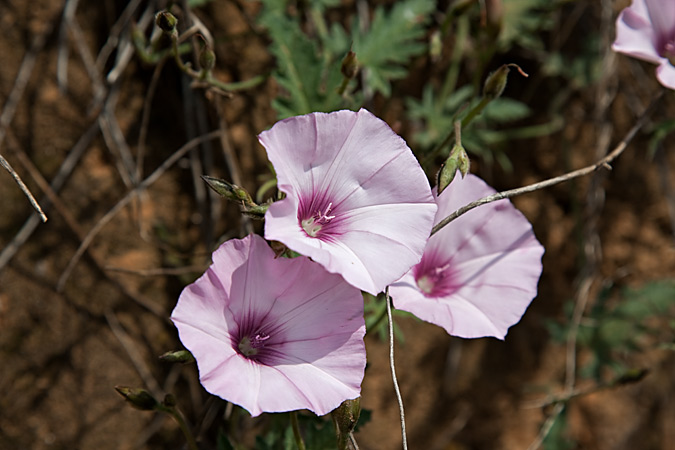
62, 352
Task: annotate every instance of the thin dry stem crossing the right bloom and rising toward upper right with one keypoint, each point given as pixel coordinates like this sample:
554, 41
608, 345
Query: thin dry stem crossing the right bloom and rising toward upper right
604, 162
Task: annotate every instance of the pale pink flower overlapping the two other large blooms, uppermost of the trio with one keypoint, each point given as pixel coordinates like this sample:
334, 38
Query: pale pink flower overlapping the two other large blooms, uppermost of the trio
357, 201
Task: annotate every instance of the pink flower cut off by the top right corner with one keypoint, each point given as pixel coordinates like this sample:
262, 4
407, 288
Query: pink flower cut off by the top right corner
646, 30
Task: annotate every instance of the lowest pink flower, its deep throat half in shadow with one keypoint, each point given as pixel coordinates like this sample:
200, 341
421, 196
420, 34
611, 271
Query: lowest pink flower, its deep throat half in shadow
267, 339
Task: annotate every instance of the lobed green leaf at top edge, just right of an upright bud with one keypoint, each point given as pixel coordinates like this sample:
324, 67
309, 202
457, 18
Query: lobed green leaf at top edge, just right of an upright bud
392, 39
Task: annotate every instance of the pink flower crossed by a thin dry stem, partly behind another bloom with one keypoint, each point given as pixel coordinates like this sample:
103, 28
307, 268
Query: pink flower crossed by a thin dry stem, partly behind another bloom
480, 272
